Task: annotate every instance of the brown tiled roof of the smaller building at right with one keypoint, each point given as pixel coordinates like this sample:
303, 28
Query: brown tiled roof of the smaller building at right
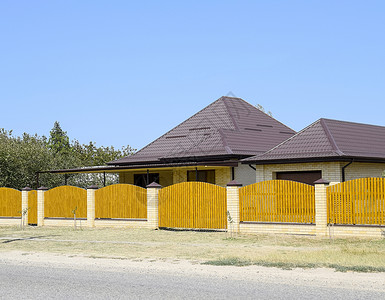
326, 139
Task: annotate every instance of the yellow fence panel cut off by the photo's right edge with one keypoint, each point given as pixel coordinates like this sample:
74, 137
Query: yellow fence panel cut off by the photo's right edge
359, 201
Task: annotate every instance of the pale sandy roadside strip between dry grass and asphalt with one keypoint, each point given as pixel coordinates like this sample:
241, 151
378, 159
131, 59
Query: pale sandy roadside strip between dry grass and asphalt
304, 277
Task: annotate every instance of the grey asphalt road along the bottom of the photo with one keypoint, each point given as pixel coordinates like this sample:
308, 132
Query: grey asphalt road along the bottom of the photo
45, 282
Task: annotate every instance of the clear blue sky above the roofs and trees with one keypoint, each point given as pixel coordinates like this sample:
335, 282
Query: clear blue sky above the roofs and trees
125, 72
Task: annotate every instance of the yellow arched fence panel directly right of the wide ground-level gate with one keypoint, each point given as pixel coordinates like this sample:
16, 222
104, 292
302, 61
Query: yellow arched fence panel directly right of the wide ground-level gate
277, 201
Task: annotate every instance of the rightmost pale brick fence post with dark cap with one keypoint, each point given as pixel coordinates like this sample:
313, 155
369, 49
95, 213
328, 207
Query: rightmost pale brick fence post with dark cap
321, 221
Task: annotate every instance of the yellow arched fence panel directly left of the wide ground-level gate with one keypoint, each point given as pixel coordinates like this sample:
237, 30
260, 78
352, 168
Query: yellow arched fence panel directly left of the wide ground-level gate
121, 201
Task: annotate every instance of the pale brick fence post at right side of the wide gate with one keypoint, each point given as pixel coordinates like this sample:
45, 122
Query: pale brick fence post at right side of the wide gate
232, 191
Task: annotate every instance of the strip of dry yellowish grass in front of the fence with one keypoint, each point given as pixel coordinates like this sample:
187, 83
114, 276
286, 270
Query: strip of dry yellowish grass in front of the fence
216, 247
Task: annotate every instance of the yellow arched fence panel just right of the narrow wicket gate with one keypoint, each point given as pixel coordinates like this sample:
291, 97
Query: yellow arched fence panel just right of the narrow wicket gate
59, 202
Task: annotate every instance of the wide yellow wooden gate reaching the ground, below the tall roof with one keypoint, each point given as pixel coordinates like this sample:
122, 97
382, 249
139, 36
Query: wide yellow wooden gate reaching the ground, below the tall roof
193, 205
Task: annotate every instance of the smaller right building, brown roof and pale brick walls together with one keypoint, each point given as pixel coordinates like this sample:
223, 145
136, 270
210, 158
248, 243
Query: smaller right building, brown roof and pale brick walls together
330, 149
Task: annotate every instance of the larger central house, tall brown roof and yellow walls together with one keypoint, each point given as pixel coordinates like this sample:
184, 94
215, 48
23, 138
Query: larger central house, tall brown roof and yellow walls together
206, 147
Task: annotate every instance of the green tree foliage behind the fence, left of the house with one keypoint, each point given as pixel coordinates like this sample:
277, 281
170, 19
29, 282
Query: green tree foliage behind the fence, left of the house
22, 157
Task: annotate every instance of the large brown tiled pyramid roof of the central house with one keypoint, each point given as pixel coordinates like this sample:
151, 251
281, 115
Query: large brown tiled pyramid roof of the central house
227, 127
